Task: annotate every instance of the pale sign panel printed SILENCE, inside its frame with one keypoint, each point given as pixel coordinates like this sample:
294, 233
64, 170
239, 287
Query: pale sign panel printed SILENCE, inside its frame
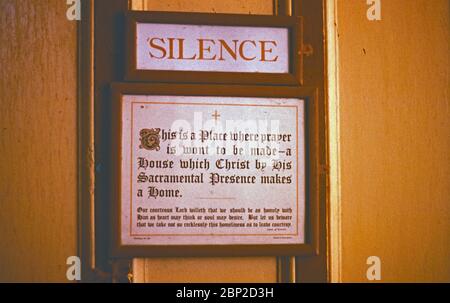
180, 47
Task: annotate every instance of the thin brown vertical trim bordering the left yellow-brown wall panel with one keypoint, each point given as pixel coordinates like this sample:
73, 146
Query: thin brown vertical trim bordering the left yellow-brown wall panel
86, 157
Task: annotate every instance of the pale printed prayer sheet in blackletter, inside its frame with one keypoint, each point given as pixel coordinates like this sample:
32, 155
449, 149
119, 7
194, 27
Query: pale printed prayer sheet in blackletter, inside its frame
212, 170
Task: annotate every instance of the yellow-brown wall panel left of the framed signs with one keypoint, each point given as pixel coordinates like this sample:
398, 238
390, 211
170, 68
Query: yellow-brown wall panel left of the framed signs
37, 140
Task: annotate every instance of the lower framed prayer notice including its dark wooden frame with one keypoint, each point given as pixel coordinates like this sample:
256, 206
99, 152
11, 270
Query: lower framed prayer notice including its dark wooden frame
211, 170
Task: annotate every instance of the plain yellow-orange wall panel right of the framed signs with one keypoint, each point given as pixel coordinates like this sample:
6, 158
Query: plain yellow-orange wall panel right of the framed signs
395, 139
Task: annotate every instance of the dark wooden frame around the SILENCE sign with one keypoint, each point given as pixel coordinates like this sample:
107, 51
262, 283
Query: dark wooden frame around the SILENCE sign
293, 24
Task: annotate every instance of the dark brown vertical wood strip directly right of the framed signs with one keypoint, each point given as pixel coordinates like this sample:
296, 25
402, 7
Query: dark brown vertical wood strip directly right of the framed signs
315, 268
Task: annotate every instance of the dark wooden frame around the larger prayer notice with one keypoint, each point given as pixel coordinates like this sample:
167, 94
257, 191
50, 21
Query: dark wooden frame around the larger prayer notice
310, 247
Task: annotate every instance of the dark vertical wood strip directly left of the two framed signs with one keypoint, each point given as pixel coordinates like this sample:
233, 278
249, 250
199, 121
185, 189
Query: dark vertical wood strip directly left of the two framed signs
109, 67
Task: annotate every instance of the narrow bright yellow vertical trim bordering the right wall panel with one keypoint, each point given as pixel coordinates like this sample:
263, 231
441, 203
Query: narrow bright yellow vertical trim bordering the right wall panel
334, 254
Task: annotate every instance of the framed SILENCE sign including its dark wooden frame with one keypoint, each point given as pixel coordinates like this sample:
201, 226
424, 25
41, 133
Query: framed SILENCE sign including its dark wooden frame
213, 48
